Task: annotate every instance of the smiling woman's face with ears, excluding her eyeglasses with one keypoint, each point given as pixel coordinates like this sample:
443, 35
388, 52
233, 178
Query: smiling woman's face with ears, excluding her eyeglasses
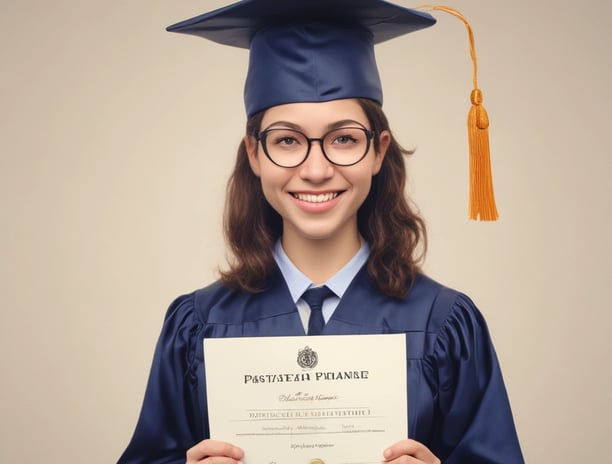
317, 200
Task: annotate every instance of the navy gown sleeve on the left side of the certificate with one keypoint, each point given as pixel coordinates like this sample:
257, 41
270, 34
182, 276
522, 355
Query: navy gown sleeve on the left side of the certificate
169, 424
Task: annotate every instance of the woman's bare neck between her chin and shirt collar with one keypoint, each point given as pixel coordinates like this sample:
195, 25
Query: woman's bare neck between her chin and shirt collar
320, 259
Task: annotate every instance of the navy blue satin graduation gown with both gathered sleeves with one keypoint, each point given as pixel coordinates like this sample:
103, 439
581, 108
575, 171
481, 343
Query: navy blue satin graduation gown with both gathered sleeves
457, 401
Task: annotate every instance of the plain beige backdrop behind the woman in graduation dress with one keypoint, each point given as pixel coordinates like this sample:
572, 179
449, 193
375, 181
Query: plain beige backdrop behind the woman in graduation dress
116, 139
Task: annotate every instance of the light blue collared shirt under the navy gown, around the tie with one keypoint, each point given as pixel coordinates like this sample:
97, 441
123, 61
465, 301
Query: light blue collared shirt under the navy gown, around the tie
298, 283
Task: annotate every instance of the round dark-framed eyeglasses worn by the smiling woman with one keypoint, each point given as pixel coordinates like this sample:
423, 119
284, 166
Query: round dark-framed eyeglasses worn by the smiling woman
288, 148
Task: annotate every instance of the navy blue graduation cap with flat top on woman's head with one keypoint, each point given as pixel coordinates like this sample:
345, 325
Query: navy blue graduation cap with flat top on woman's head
313, 50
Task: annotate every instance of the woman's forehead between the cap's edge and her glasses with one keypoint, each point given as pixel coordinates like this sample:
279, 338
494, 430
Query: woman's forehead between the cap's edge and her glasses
316, 116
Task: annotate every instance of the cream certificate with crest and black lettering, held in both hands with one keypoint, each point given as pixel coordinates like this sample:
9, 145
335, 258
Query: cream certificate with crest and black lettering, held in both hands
337, 399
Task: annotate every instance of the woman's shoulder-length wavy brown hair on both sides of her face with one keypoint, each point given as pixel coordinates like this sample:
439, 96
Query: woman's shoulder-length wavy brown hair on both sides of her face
395, 232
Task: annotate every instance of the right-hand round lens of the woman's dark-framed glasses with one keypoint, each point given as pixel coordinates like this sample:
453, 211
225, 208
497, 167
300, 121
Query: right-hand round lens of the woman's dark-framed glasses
347, 145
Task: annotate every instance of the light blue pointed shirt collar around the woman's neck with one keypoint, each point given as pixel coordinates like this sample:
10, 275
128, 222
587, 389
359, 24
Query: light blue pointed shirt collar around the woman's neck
298, 283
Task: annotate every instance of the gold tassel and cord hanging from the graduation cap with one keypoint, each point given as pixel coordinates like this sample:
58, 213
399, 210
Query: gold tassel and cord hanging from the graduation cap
482, 198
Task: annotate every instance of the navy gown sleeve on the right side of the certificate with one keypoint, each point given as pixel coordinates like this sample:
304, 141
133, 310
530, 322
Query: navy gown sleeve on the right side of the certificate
474, 421
